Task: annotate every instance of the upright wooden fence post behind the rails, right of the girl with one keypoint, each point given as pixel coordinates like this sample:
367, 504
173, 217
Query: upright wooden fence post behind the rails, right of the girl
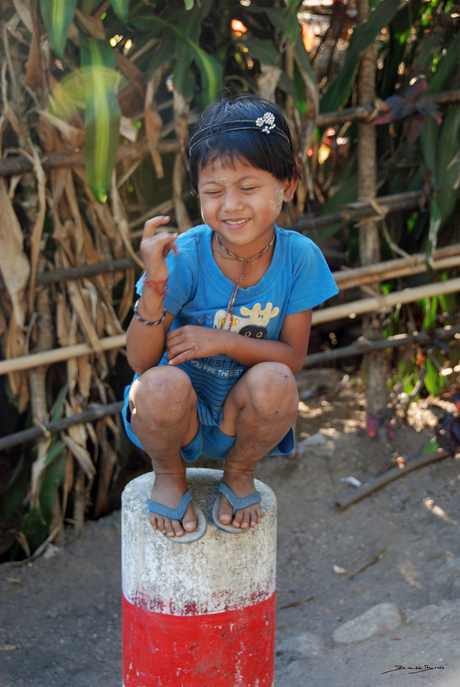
369, 244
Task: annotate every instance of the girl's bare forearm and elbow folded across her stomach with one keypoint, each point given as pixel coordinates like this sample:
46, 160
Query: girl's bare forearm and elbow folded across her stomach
193, 341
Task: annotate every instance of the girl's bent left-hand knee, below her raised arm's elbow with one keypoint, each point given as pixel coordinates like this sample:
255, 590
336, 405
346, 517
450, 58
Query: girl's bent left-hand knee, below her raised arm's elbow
162, 395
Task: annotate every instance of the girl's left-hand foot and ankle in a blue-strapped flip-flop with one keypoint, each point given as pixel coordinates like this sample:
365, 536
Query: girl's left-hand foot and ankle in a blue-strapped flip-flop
168, 491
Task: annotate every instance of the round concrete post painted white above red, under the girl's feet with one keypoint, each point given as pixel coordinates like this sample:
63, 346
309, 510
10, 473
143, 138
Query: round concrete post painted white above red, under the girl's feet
199, 614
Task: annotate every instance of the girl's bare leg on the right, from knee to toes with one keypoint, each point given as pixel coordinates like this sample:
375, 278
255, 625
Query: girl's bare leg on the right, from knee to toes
260, 409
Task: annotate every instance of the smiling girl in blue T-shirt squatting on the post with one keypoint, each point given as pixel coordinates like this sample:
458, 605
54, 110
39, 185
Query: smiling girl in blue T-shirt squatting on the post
223, 321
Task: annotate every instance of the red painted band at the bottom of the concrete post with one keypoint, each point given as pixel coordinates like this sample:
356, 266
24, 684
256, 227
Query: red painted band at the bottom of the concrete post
215, 650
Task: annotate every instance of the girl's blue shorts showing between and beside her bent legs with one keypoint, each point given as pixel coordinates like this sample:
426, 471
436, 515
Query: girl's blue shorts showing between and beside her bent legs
209, 441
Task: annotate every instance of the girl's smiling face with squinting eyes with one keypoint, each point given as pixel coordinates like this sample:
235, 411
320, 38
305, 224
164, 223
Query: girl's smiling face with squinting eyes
241, 203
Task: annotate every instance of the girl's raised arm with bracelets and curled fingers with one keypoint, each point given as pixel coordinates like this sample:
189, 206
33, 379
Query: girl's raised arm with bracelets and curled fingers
146, 344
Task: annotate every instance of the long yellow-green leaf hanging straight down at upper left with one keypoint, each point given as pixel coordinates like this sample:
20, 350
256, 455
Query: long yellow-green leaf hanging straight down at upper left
102, 115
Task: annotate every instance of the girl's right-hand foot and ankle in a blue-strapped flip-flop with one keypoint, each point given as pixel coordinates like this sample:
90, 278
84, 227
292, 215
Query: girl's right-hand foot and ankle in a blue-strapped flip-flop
241, 482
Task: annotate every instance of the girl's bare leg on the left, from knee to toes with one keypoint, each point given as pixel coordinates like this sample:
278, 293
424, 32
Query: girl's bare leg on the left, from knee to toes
164, 418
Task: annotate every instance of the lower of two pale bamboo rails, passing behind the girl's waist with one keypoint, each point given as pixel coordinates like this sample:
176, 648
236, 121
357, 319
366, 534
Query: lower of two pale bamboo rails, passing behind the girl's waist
337, 312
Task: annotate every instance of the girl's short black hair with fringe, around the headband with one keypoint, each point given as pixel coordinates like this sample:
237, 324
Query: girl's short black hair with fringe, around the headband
271, 152
